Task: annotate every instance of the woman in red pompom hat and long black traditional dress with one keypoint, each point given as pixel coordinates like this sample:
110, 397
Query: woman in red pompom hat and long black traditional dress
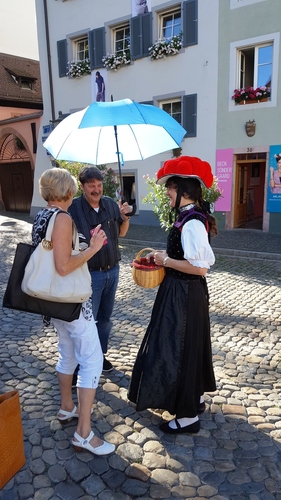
173, 367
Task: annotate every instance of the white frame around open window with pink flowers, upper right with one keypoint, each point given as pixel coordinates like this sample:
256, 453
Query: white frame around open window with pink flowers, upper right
234, 73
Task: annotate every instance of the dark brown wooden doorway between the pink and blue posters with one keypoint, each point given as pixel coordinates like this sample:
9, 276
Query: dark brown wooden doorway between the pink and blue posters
249, 191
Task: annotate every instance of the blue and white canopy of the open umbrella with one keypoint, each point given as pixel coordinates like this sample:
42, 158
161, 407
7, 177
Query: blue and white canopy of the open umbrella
90, 135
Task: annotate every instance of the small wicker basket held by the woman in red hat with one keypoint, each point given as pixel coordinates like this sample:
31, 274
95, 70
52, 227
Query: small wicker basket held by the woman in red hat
147, 274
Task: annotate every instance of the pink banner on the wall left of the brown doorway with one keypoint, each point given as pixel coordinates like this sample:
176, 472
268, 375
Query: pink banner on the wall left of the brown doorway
224, 162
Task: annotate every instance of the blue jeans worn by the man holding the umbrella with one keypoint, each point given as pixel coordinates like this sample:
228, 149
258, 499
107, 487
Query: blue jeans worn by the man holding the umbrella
104, 286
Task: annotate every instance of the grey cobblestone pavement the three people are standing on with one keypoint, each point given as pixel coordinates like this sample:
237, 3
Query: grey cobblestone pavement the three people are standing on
237, 453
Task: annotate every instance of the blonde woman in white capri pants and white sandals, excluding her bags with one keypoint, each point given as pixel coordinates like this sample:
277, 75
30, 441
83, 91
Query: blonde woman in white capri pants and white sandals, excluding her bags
78, 341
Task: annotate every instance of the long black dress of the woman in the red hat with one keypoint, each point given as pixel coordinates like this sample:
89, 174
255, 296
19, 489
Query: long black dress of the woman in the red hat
173, 367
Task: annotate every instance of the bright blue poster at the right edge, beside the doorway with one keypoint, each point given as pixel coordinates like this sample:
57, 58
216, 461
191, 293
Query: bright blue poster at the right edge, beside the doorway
274, 180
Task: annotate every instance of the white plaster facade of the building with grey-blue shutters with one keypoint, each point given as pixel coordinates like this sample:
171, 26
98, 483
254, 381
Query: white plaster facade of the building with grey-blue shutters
194, 70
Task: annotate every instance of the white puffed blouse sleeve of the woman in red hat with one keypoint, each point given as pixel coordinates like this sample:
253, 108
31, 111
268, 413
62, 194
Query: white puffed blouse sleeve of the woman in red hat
195, 244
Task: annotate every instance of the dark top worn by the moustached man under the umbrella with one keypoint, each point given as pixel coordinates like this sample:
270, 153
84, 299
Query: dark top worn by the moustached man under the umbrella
86, 218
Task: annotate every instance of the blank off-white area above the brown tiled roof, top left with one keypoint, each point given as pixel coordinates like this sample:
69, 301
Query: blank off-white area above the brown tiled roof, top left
18, 34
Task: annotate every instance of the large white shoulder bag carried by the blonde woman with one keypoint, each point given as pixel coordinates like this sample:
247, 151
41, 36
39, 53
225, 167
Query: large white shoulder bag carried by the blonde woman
42, 280
